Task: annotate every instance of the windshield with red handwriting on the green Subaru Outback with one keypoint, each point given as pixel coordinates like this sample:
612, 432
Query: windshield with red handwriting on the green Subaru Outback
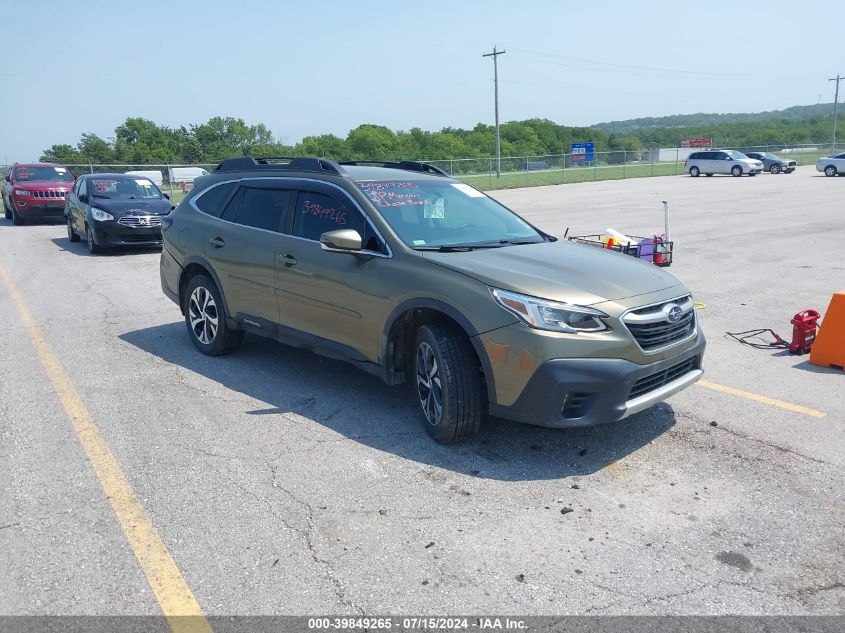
426, 214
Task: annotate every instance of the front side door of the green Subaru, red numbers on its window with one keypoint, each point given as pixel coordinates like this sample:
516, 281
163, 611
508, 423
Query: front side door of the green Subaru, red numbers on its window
332, 296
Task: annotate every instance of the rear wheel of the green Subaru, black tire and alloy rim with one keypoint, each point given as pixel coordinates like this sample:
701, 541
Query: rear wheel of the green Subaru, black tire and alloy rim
205, 318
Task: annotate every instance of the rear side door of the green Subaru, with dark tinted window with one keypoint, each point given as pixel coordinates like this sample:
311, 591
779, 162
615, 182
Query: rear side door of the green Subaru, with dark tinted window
241, 247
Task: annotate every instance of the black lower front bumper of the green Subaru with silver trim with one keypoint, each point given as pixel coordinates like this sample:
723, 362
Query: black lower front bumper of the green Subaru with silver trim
573, 392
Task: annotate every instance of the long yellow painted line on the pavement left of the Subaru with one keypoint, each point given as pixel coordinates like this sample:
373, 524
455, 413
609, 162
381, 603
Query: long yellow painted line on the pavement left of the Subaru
172, 592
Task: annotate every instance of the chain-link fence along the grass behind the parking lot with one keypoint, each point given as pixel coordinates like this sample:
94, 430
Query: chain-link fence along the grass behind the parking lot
514, 171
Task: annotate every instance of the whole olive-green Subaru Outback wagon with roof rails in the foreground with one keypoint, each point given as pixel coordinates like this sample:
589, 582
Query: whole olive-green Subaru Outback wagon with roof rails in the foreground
418, 278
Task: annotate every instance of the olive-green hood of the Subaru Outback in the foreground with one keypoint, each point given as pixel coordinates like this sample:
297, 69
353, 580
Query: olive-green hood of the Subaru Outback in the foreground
560, 271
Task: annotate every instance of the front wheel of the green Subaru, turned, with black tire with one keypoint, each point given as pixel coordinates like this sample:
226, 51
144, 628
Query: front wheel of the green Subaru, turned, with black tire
447, 383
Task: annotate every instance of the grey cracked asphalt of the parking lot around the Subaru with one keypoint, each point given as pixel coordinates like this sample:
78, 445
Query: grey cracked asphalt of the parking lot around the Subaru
280, 482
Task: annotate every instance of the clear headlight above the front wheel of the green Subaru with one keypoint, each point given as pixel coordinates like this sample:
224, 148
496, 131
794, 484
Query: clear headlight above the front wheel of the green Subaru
551, 315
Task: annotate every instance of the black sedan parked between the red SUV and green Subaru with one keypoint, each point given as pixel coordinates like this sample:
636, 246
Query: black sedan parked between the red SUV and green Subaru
115, 210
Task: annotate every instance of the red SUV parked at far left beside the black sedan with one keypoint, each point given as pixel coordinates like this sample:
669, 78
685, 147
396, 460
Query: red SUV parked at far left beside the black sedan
36, 190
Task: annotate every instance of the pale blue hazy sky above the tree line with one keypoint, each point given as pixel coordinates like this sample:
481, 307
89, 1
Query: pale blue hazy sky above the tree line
305, 68
